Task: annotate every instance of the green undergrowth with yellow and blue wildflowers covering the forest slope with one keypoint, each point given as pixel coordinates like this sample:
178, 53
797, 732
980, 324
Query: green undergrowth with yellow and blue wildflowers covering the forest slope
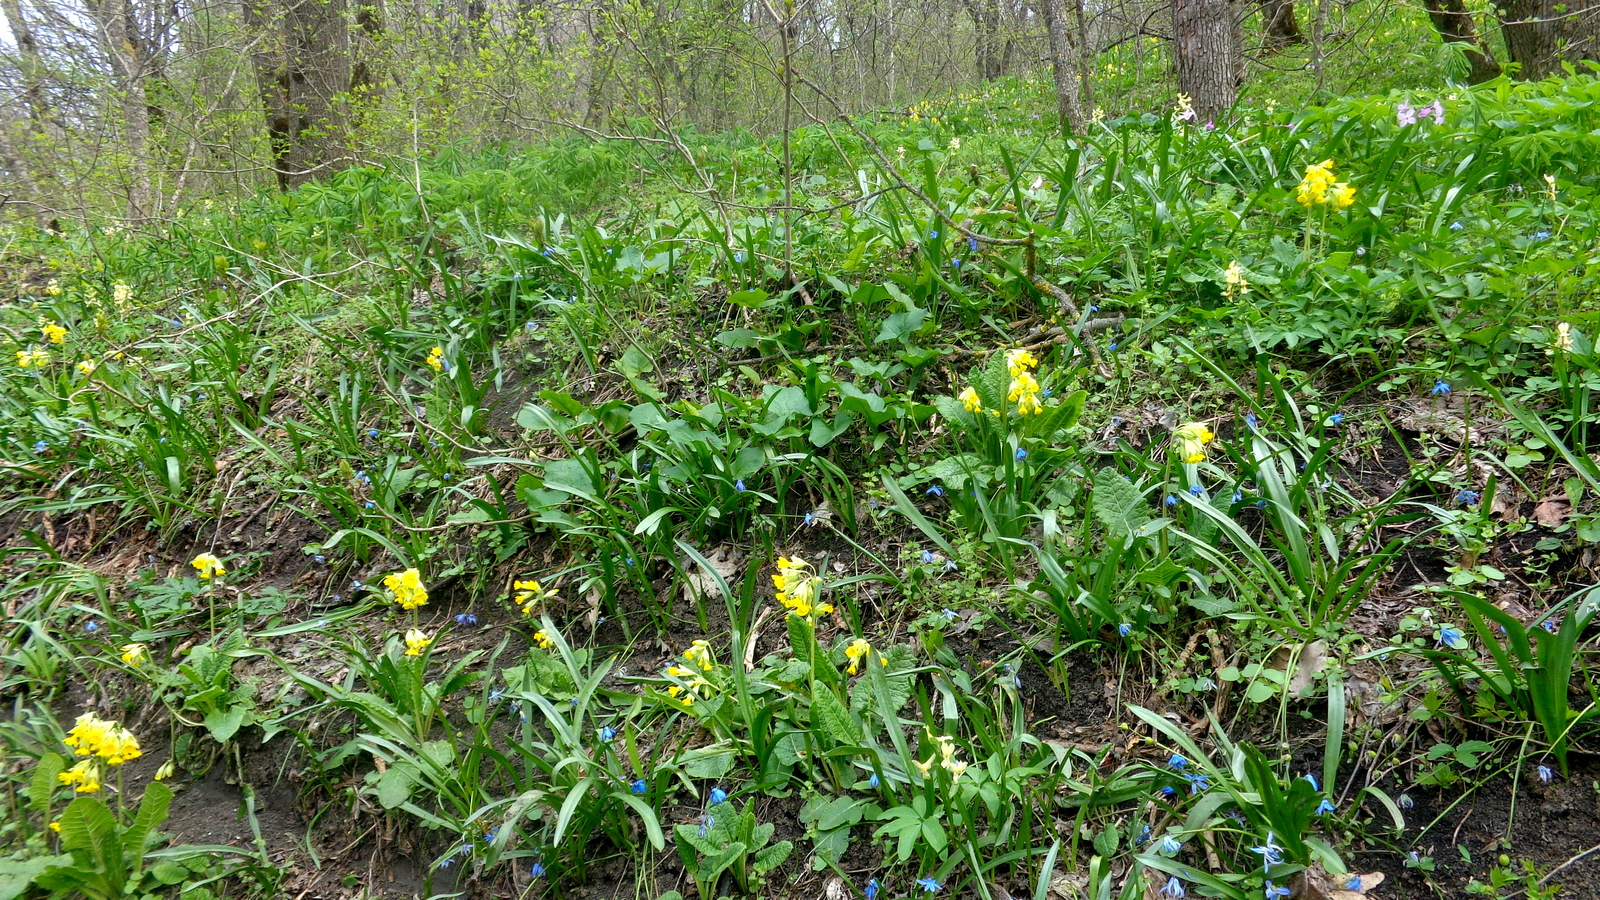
823, 512
